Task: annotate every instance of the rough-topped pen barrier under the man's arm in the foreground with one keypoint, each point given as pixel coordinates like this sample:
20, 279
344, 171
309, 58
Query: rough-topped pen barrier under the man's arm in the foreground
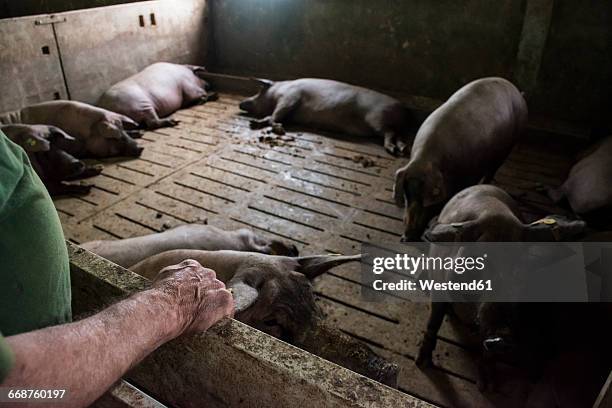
230, 365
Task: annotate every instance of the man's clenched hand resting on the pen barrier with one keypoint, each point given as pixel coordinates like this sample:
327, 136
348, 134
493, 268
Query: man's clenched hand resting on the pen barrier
200, 298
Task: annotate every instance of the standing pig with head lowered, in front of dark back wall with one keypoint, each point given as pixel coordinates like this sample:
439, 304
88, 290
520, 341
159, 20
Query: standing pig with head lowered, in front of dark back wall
461, 143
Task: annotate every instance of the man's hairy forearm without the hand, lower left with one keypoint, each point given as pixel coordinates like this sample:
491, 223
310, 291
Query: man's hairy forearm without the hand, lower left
85, 358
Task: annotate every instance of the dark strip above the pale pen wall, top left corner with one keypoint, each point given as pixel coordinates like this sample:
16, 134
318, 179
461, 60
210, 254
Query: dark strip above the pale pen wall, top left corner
11, 8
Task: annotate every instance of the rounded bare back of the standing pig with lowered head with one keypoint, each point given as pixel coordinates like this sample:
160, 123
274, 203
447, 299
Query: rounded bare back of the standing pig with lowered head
474, 131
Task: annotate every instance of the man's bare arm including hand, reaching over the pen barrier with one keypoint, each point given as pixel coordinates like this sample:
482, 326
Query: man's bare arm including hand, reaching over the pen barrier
85, 358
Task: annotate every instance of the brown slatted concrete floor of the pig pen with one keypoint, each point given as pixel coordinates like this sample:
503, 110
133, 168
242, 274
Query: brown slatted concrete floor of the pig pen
312, 190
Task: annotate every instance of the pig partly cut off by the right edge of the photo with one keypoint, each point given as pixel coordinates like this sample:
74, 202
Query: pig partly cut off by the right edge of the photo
587, 188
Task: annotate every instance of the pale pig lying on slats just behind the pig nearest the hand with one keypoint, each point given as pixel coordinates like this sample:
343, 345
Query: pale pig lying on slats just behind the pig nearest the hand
127, 252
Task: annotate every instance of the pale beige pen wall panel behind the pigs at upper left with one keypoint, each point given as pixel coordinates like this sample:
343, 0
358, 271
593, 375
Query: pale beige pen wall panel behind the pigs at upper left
79, 54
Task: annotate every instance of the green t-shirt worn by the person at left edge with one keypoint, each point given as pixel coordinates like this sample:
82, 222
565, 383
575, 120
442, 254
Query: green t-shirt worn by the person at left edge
34, 273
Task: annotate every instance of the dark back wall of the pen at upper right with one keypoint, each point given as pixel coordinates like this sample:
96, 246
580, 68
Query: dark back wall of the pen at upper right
556, 50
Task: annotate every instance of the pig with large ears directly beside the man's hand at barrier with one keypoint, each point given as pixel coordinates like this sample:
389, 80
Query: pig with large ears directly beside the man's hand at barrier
271, 293
